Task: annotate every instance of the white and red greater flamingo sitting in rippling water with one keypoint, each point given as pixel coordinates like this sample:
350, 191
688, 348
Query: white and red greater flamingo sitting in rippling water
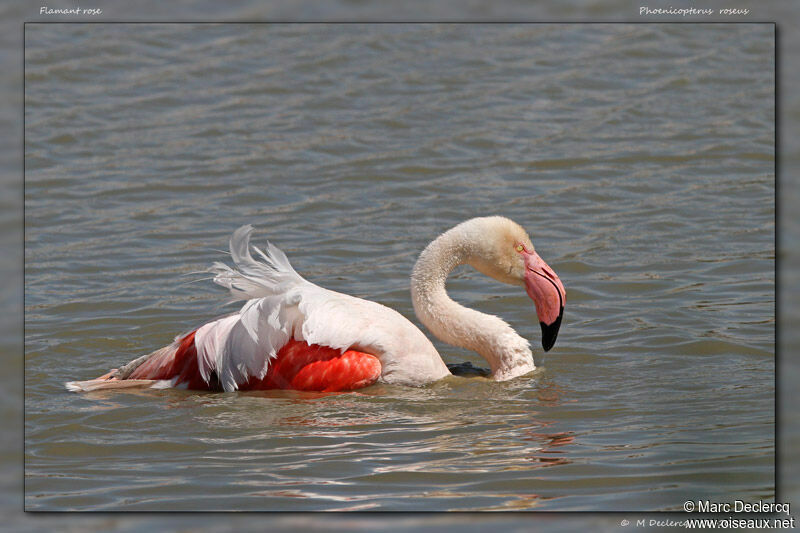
293, 334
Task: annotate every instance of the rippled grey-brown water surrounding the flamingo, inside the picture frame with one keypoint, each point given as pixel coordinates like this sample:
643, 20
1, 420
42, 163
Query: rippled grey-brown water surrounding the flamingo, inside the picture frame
639, 157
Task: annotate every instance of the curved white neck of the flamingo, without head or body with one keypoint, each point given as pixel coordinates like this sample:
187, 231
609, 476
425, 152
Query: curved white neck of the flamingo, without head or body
507, 353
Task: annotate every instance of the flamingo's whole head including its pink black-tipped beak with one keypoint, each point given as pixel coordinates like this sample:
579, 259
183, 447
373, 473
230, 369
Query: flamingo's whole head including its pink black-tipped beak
508, 255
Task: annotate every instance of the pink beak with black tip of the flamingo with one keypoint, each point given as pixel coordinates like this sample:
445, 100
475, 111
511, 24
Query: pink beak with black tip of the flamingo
548, 295
